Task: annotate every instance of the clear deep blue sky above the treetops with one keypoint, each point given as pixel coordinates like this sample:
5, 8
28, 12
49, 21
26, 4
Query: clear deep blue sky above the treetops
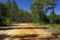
25, 5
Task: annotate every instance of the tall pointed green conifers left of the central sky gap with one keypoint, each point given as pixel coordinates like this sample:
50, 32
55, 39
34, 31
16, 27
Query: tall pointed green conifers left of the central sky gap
12, 9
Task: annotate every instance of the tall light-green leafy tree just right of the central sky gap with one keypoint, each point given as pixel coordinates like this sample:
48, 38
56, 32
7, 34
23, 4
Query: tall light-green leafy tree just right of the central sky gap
38, 9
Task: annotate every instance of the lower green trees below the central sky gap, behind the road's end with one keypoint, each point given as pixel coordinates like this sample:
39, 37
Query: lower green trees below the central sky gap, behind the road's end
24, 16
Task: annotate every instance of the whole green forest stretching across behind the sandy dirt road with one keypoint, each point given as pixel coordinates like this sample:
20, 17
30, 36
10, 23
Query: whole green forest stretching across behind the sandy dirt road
10, 13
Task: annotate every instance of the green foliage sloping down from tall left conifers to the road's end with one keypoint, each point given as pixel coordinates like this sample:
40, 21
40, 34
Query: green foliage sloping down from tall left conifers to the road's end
16, 14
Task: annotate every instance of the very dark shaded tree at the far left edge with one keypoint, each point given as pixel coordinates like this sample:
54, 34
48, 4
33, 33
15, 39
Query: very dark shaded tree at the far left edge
3, 13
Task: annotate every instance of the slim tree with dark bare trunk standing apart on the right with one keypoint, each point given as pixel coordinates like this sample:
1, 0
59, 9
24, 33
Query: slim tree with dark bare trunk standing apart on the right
52, 4
